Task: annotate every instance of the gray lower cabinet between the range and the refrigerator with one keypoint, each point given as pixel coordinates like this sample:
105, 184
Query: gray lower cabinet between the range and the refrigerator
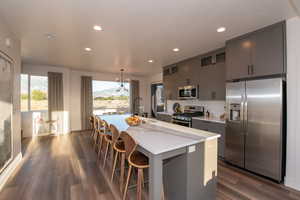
215, 128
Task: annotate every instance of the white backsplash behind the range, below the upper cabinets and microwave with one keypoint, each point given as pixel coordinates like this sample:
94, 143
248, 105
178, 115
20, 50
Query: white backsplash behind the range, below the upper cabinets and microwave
216, 108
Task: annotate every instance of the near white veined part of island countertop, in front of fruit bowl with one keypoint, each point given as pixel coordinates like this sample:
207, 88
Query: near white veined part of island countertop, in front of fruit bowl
158, 137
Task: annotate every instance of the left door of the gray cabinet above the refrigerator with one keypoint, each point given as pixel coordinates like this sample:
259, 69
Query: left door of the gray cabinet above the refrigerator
238, 58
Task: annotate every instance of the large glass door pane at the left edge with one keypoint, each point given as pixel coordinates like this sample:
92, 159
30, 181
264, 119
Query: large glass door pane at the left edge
6, 94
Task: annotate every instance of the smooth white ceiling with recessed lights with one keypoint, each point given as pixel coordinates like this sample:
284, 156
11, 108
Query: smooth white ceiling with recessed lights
134, 30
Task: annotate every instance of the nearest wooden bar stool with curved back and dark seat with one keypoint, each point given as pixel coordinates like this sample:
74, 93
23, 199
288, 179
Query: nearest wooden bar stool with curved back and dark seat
135, 159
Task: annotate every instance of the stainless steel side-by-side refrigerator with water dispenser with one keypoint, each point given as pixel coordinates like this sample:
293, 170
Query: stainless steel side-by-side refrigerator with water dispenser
255, 127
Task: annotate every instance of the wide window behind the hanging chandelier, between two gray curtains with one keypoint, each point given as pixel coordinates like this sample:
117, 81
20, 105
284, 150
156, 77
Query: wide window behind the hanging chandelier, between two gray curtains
108, 100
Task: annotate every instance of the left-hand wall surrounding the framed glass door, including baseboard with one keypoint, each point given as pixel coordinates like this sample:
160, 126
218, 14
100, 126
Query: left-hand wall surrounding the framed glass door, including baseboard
14, 53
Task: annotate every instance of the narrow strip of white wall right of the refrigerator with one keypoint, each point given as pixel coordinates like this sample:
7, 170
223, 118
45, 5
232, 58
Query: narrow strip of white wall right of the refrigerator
293, 103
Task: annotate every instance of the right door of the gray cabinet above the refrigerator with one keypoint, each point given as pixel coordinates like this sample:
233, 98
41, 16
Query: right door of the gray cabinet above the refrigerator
268, 51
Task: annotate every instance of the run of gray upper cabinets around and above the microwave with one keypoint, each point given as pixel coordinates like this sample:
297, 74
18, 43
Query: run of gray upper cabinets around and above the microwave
208, 76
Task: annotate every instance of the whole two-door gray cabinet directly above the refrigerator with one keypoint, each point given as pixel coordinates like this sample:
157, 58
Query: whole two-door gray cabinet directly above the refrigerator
261, 53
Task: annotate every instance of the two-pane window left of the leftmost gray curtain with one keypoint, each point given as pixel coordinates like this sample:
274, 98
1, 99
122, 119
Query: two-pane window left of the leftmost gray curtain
37, 88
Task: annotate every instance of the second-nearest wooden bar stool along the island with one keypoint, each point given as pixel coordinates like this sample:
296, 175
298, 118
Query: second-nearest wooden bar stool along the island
119, 148
